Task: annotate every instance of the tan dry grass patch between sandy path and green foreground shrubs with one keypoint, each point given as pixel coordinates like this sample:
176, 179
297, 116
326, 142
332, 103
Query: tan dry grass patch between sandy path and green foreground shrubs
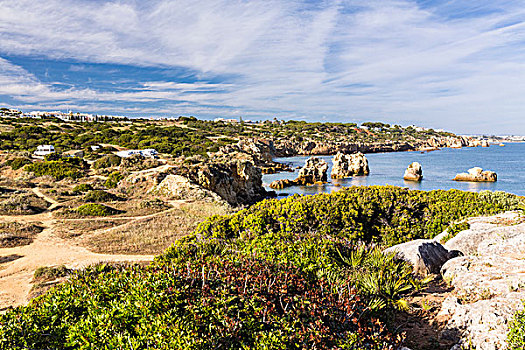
153, 235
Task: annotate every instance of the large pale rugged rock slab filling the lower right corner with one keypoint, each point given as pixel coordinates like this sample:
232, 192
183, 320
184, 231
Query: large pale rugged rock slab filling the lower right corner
489, 280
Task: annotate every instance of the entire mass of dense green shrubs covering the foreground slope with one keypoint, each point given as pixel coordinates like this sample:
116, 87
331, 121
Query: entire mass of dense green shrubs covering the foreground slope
302, 272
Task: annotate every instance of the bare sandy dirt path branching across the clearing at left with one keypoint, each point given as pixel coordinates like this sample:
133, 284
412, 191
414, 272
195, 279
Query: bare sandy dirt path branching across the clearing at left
47, 249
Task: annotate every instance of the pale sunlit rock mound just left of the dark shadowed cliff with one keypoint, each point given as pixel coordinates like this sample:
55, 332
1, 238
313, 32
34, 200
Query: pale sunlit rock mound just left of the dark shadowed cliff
181, 188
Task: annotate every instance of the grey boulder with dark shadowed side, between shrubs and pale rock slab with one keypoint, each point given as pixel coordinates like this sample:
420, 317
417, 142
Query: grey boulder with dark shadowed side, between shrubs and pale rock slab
426, 256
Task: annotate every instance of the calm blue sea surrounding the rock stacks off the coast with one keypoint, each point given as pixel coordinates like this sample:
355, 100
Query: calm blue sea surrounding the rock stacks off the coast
439, 167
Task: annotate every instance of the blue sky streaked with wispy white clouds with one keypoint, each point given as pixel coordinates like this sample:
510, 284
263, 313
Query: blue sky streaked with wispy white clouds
454, 65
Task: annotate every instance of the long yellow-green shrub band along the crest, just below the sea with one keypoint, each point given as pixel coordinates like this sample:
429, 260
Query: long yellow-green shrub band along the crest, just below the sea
375, 214
